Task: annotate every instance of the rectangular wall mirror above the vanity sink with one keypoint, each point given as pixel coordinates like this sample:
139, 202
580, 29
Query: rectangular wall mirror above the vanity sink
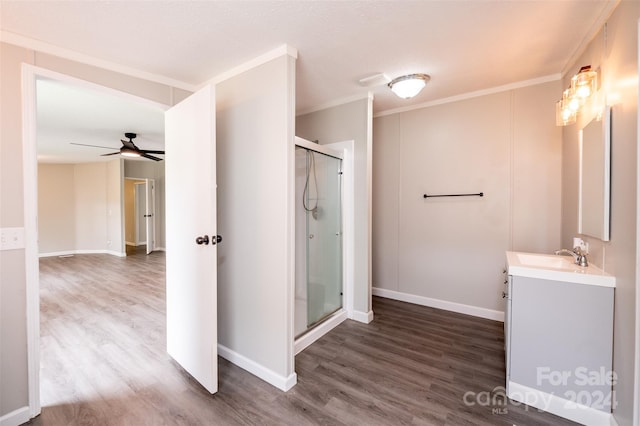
595, 177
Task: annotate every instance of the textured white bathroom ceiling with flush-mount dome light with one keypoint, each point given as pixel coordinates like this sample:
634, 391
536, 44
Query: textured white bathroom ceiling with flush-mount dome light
464, 45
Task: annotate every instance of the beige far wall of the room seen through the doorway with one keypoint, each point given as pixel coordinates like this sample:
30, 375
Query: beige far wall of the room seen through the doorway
79, 208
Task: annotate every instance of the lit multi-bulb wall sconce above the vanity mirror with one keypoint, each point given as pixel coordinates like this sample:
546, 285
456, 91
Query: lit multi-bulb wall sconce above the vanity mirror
583, 87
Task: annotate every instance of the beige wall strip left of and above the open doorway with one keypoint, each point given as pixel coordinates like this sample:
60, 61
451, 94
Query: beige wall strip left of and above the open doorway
13, 333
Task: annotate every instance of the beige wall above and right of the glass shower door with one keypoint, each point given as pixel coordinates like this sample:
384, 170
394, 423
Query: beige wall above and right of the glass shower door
351, 121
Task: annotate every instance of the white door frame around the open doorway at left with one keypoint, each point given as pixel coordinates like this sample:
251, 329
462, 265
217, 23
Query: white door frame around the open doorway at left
30, 73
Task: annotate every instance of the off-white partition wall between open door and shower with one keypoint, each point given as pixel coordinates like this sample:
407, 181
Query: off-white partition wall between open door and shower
255, 176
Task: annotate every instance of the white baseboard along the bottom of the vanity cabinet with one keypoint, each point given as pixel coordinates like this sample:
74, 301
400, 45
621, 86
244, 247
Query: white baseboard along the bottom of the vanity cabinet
559, 406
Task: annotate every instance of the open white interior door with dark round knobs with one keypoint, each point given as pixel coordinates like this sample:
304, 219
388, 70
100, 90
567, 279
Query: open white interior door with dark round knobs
191, 236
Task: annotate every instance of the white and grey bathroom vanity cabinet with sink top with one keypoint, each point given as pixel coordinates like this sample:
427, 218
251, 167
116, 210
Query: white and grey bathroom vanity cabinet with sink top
559, 337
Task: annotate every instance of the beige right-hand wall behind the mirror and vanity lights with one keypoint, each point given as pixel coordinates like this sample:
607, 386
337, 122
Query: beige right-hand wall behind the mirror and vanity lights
616, 52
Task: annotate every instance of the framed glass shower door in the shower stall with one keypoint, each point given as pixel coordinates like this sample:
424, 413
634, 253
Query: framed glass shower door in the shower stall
323, 208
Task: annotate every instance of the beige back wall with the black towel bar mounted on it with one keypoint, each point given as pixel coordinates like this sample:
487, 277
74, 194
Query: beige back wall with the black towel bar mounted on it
449, 252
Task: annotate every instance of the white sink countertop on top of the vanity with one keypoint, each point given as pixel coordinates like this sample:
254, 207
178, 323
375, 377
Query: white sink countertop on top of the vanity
555, 267
